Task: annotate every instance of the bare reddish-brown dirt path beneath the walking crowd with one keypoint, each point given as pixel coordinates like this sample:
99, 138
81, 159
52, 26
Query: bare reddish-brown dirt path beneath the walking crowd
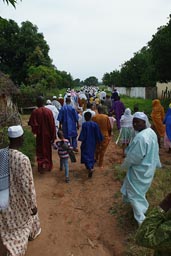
75, 218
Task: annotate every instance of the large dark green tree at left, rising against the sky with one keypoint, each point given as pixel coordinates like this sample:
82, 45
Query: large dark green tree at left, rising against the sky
20, 48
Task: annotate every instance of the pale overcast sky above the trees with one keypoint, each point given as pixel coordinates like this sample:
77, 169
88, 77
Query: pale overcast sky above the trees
92, 37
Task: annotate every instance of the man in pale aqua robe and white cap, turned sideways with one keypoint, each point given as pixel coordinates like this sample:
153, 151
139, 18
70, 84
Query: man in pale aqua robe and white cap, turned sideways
142, 159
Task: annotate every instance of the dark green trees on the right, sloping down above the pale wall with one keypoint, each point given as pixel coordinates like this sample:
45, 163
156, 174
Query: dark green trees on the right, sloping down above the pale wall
146, 67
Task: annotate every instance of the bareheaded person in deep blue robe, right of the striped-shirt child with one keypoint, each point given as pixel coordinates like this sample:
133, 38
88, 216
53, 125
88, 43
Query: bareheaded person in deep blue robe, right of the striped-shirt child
90, 135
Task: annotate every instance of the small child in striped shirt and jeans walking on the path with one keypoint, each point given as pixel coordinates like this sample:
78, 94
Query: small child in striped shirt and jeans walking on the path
62, 145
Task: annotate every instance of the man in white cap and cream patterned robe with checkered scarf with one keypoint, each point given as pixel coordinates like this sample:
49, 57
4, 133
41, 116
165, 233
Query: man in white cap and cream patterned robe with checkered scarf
19, 221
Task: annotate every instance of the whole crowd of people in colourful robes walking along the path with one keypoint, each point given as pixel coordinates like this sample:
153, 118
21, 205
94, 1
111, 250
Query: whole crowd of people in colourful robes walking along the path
88, 116
